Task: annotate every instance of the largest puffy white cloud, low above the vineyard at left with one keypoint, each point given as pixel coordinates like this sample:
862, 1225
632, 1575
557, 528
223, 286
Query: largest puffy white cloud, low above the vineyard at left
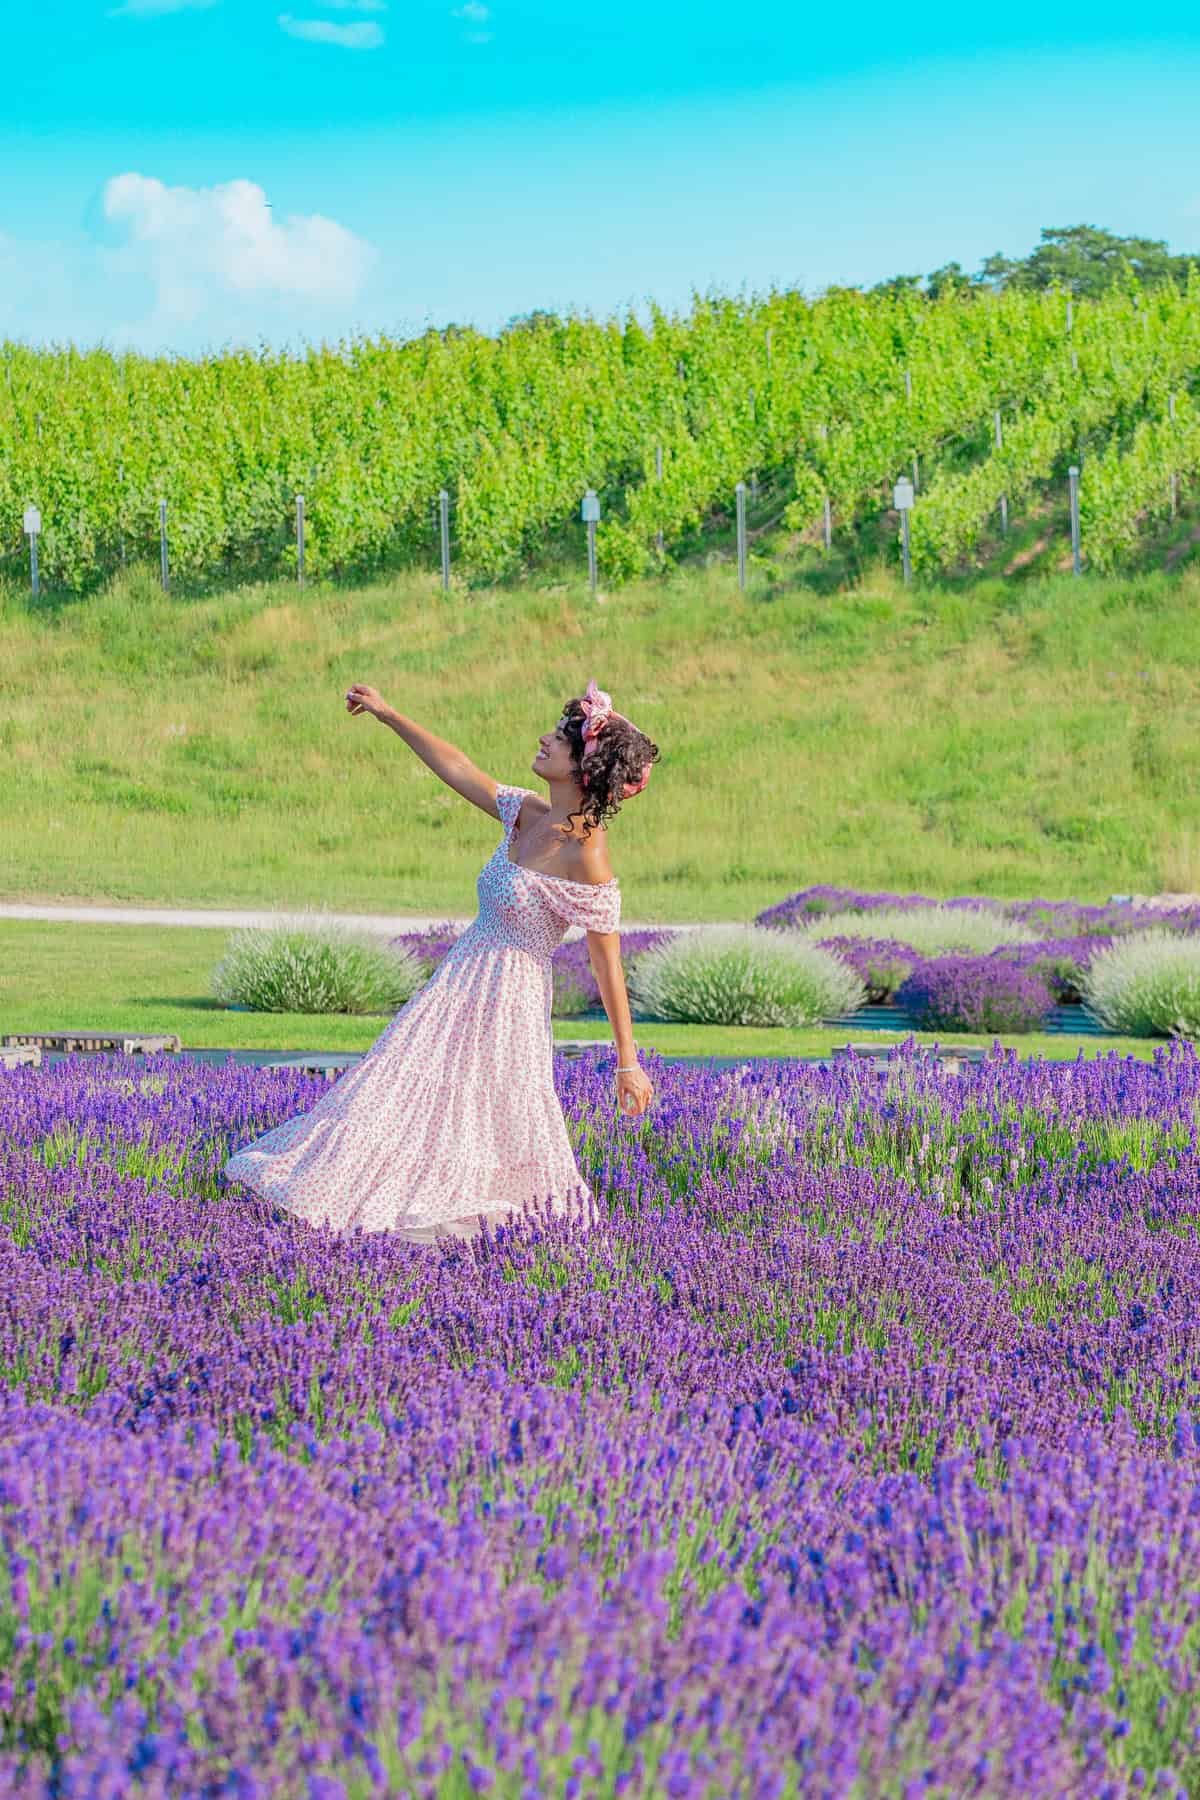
201, 246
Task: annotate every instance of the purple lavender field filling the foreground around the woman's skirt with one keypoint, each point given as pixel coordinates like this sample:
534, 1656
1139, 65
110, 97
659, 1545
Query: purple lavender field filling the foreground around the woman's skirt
852, 1448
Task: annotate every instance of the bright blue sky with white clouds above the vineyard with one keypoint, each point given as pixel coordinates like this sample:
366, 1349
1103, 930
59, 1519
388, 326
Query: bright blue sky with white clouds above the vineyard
186, 175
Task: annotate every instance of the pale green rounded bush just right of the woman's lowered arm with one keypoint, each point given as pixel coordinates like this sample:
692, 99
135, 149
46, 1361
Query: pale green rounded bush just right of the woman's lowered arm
735, 975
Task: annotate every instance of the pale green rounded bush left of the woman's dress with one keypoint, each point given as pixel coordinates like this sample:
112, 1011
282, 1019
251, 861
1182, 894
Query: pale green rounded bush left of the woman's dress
323, 971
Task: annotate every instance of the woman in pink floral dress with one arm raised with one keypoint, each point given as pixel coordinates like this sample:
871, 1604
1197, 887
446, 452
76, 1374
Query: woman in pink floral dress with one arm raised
452, 1120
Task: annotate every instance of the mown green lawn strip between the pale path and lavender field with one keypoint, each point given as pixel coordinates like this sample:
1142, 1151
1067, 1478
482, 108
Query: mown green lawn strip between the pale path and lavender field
156, 978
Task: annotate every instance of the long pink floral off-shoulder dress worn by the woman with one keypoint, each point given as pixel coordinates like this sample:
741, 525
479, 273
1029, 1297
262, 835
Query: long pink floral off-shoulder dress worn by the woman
452, 1117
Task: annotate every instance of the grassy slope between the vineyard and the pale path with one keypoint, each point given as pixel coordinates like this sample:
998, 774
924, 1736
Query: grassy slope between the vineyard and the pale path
1014, 739
